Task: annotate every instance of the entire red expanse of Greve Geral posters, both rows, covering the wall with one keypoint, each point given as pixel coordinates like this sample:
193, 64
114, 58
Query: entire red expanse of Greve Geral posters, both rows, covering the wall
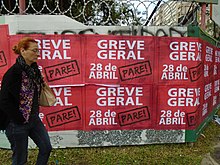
104, 82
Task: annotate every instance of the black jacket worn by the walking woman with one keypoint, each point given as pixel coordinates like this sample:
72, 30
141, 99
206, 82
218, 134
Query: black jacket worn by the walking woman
9, 95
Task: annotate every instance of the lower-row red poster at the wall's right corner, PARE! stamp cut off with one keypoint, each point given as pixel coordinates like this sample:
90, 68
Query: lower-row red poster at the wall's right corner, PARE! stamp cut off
179, 107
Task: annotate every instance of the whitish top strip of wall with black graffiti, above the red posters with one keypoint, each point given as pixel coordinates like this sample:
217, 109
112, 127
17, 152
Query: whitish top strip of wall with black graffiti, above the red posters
58, 24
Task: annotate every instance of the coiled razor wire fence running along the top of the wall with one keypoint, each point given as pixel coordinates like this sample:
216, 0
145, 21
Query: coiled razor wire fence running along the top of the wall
109, 12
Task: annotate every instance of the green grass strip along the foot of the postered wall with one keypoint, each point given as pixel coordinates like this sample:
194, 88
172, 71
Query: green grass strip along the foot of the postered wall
156, 154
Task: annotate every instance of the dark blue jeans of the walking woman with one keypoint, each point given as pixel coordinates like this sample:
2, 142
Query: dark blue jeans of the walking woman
18, 138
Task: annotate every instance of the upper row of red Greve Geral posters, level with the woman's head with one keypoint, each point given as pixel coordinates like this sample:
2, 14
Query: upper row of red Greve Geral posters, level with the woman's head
98, 59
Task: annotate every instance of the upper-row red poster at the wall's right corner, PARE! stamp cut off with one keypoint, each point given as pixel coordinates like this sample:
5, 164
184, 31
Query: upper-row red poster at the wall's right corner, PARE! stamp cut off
180, 60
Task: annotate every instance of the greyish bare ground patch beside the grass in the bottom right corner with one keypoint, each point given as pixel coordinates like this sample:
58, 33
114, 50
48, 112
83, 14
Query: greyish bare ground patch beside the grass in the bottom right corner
212, 158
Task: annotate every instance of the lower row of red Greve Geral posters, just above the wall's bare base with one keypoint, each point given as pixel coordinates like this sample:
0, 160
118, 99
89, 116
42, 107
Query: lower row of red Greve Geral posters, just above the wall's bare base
129, 107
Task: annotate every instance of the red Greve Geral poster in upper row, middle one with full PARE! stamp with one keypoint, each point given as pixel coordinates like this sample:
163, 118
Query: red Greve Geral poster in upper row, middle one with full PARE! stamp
119, 59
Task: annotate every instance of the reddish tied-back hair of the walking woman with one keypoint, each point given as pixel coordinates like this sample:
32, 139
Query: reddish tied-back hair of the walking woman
23, 43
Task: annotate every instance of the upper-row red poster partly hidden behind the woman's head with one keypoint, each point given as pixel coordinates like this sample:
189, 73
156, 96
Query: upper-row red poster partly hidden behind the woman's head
60, 58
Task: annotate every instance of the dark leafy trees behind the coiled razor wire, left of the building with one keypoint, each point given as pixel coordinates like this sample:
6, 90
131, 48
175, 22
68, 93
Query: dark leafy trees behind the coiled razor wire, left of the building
88, 12
